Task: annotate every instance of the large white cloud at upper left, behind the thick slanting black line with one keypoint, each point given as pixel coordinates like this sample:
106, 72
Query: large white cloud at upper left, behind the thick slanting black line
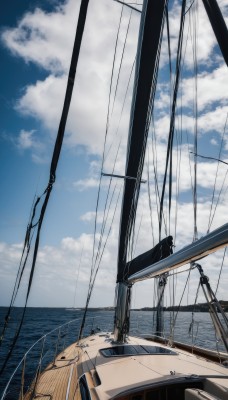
42, 38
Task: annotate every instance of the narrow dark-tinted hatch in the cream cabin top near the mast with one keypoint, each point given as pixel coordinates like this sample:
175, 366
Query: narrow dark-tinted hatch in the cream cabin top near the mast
129, 350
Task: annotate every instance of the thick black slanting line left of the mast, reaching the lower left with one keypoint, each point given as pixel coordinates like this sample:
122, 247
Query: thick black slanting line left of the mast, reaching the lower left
56, 153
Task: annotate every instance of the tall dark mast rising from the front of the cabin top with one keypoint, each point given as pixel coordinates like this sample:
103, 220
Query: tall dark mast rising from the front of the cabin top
147, 60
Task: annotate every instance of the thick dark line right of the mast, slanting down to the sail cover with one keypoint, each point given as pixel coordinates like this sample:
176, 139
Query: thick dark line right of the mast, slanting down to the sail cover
172, 121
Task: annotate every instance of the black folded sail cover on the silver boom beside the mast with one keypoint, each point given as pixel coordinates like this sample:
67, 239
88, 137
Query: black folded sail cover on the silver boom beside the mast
162, 250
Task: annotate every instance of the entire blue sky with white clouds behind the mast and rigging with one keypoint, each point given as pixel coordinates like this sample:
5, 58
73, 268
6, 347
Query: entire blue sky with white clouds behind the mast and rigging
36, 44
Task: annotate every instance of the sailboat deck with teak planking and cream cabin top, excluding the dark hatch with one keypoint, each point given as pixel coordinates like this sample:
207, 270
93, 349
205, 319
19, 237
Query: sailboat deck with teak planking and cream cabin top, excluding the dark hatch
120, 376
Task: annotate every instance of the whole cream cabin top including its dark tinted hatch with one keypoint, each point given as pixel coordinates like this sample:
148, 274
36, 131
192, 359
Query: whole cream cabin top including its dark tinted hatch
143, 370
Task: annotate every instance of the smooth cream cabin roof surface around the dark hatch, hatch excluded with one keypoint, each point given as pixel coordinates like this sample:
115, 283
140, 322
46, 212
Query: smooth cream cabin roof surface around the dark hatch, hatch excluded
118, 374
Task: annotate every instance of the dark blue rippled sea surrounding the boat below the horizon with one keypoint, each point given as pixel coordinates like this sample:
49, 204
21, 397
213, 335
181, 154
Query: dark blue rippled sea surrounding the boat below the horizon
39, 322
